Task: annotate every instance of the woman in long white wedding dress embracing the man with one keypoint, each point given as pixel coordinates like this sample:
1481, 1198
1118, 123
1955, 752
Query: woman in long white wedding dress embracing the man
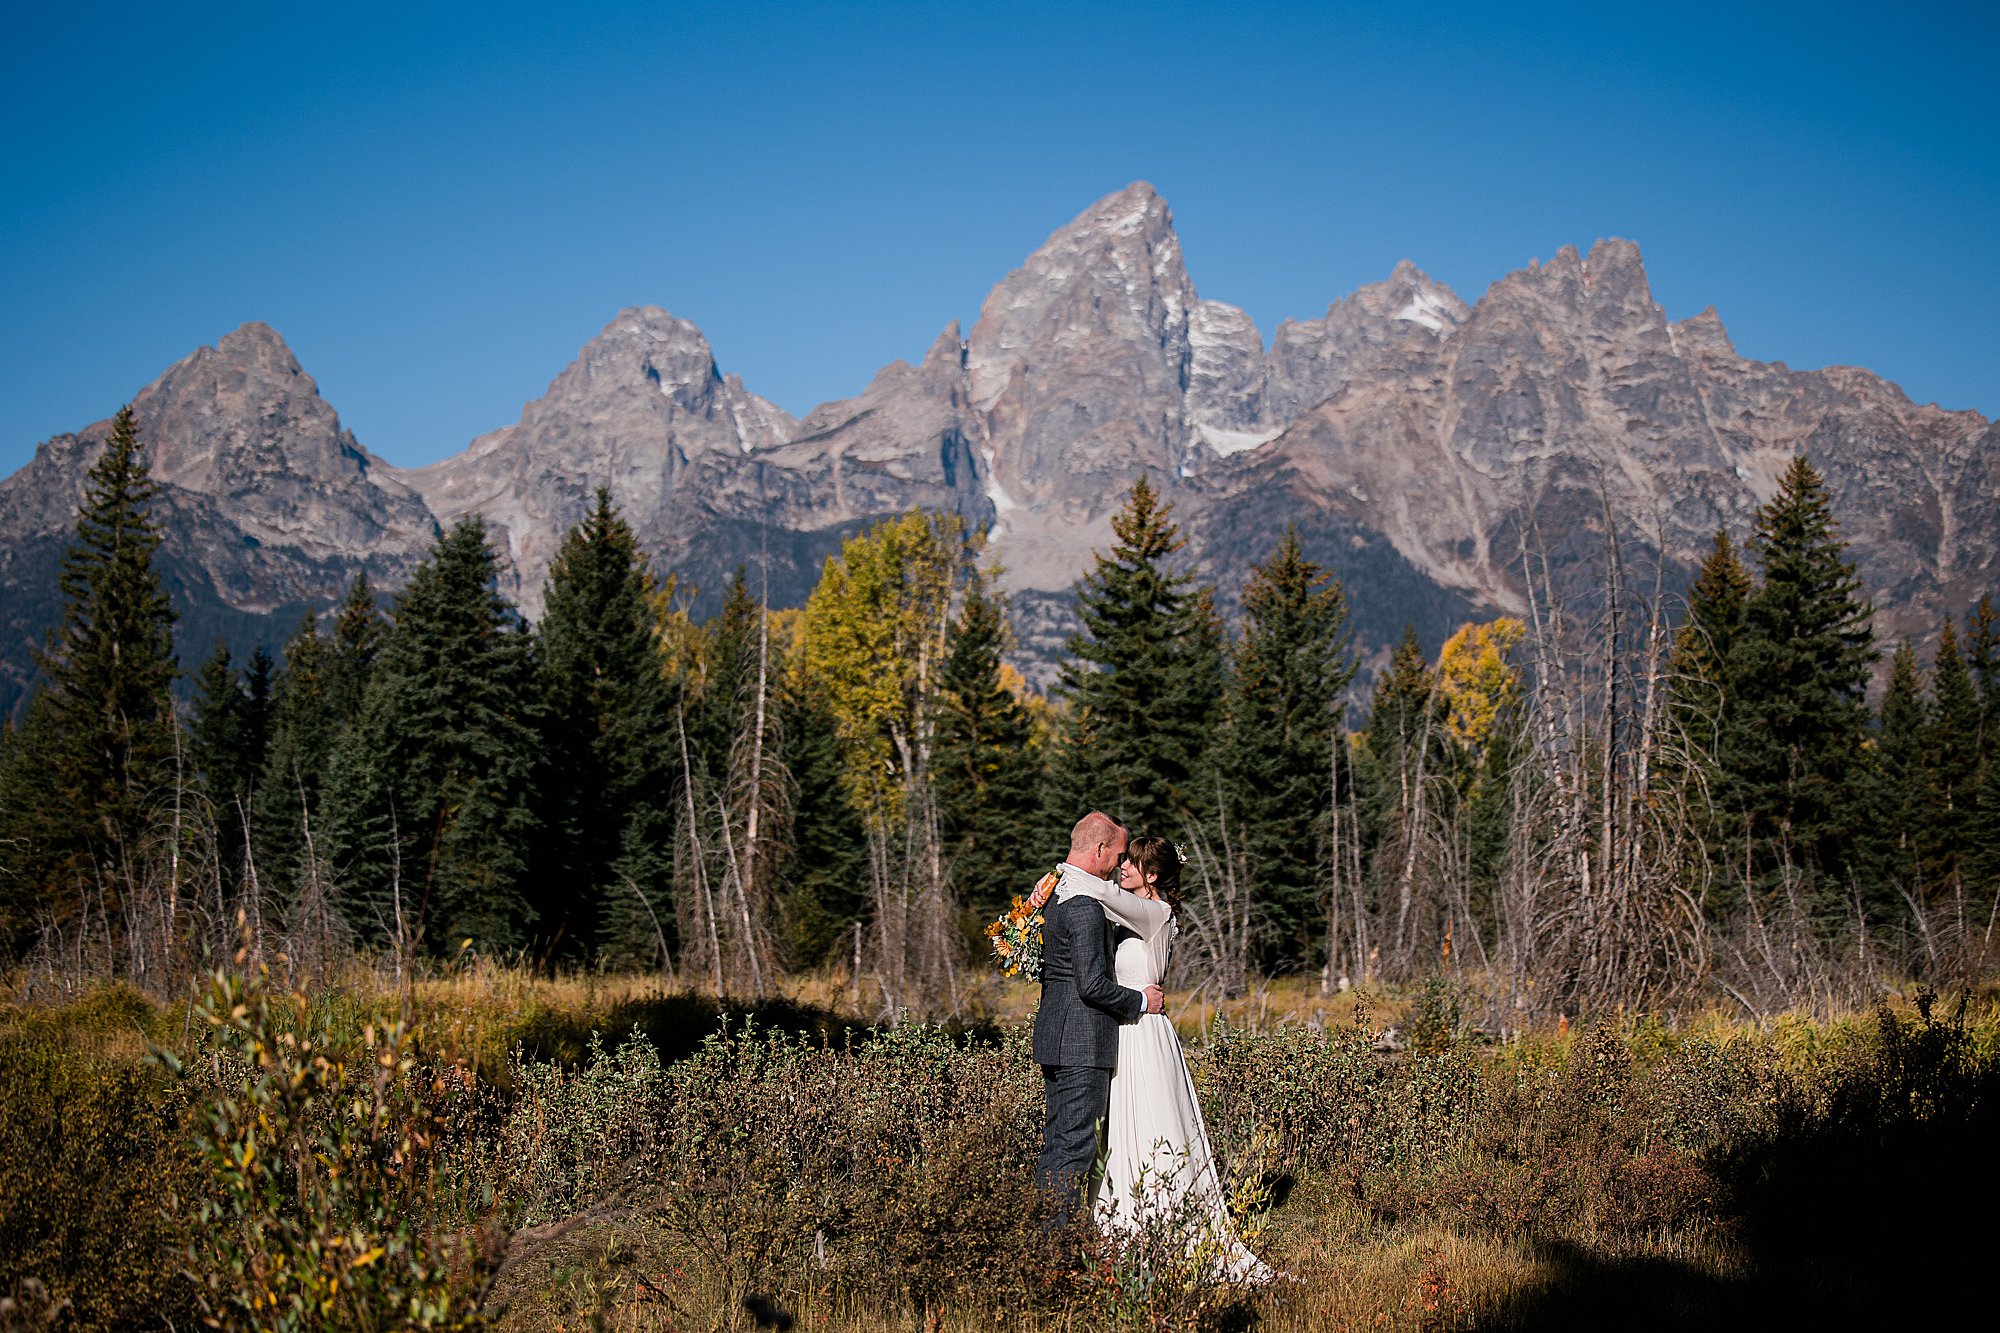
1159, 1160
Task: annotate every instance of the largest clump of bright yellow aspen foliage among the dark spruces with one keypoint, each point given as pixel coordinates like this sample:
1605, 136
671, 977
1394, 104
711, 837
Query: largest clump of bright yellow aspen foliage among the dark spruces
875, 633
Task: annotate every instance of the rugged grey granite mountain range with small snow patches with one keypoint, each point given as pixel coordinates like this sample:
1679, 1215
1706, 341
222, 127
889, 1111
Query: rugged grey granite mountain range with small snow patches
1419, 443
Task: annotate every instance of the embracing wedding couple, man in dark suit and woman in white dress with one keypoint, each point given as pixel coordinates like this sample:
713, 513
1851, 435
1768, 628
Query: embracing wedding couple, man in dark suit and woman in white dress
1111, 1062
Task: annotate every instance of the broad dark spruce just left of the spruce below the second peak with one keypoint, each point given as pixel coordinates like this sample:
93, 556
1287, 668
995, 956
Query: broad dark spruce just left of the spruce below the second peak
431, 812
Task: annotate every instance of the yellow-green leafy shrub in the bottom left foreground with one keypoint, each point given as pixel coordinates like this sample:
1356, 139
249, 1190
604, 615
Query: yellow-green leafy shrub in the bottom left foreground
317, 1208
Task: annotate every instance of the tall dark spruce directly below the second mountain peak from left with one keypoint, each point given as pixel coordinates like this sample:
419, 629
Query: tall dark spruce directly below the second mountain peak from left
609, 726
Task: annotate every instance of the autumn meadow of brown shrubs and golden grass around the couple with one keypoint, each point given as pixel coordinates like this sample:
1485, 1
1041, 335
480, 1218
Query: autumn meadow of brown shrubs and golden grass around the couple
493, 1150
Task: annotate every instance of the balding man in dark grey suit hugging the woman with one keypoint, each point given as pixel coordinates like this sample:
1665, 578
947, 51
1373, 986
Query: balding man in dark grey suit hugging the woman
1083, 1006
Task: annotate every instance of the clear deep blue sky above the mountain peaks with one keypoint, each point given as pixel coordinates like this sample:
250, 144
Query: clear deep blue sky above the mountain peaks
437, 205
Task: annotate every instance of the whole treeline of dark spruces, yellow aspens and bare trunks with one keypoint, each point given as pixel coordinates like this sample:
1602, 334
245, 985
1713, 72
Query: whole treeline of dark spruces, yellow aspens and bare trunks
1623, 798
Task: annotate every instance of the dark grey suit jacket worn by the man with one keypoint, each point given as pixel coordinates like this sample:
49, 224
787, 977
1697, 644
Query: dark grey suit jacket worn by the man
1083, 1006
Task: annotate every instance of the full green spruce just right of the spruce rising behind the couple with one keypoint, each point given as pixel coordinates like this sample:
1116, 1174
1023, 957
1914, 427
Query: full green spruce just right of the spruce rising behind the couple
1285, 714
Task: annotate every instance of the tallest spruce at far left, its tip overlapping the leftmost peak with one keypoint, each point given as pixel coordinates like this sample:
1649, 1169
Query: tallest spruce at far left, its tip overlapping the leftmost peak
97, 750
